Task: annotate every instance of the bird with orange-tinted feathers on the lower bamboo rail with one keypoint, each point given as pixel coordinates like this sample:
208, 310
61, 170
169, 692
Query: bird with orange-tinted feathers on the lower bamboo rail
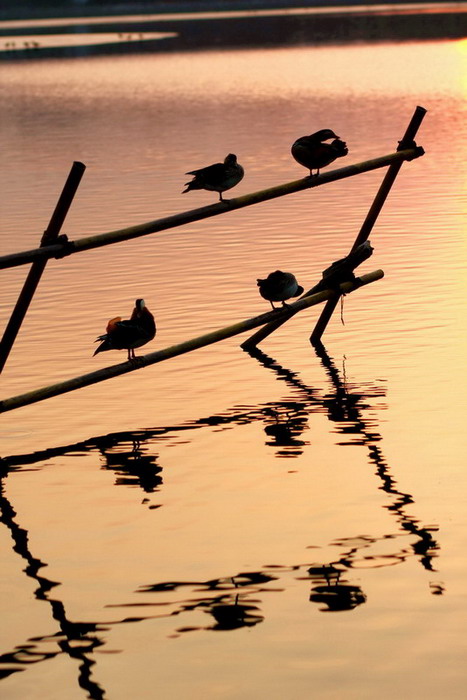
128, 335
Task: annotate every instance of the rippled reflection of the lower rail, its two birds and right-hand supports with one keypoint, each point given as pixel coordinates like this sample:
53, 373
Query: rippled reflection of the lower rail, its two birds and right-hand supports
284, 423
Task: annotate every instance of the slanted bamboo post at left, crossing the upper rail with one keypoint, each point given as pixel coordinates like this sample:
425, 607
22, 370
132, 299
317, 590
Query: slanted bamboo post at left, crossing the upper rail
37, 268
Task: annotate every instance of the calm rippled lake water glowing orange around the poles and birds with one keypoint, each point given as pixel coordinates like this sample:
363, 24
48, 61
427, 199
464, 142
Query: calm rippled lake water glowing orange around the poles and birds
286, 525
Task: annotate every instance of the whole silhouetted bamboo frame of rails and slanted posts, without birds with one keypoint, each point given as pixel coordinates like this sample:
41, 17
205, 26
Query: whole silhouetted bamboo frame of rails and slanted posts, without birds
53, 245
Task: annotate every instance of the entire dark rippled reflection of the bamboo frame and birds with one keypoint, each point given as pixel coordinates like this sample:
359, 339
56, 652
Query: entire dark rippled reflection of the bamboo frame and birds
231, 602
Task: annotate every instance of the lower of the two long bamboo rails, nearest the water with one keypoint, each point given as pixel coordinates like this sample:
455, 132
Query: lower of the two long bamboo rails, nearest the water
181, 348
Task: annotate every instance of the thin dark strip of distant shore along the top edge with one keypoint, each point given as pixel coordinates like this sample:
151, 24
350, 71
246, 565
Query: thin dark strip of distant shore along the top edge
10, 9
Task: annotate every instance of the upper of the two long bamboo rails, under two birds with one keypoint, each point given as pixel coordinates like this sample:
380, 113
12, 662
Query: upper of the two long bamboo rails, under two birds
127, 234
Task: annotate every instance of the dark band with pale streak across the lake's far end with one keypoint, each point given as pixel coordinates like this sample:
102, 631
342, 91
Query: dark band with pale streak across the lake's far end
220, 29
